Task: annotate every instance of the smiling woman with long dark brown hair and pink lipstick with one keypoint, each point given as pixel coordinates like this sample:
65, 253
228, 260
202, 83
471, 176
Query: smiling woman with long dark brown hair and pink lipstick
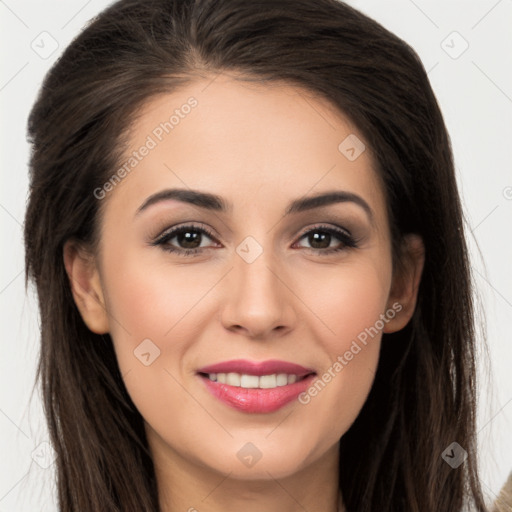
247, 240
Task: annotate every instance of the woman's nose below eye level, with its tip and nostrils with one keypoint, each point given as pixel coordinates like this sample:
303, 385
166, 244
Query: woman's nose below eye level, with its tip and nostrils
258, 303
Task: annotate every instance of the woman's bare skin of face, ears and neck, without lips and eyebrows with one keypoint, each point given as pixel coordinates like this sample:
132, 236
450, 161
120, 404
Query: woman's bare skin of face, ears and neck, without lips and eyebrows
258, 146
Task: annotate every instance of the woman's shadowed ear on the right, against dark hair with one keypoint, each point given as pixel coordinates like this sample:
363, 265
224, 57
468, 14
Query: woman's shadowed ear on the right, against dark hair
406, 282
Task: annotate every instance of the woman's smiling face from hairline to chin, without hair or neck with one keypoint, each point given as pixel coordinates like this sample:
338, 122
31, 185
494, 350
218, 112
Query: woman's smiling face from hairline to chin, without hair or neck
282, 258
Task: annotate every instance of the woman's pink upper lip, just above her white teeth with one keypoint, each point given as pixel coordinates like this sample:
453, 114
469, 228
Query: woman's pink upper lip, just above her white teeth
269, 367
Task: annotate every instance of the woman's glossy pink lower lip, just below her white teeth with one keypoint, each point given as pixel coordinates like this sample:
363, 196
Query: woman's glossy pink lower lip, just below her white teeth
255, 400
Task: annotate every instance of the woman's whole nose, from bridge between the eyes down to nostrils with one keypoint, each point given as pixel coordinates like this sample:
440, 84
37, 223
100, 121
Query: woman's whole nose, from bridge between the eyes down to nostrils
256, 301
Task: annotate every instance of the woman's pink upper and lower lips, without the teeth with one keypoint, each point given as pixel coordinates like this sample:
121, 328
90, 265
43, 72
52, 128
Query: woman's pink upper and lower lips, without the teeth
255, 400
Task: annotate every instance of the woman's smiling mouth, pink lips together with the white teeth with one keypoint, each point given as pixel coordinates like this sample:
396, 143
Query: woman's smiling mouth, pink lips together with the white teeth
256, 387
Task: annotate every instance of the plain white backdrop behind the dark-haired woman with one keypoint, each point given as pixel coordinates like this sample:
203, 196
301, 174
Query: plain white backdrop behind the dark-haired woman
466, 47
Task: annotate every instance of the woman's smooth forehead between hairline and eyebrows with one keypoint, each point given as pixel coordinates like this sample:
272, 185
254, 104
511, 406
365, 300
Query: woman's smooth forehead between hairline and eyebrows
251, 142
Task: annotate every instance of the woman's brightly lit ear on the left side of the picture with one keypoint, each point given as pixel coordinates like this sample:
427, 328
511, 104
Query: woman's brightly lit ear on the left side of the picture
86, 287
